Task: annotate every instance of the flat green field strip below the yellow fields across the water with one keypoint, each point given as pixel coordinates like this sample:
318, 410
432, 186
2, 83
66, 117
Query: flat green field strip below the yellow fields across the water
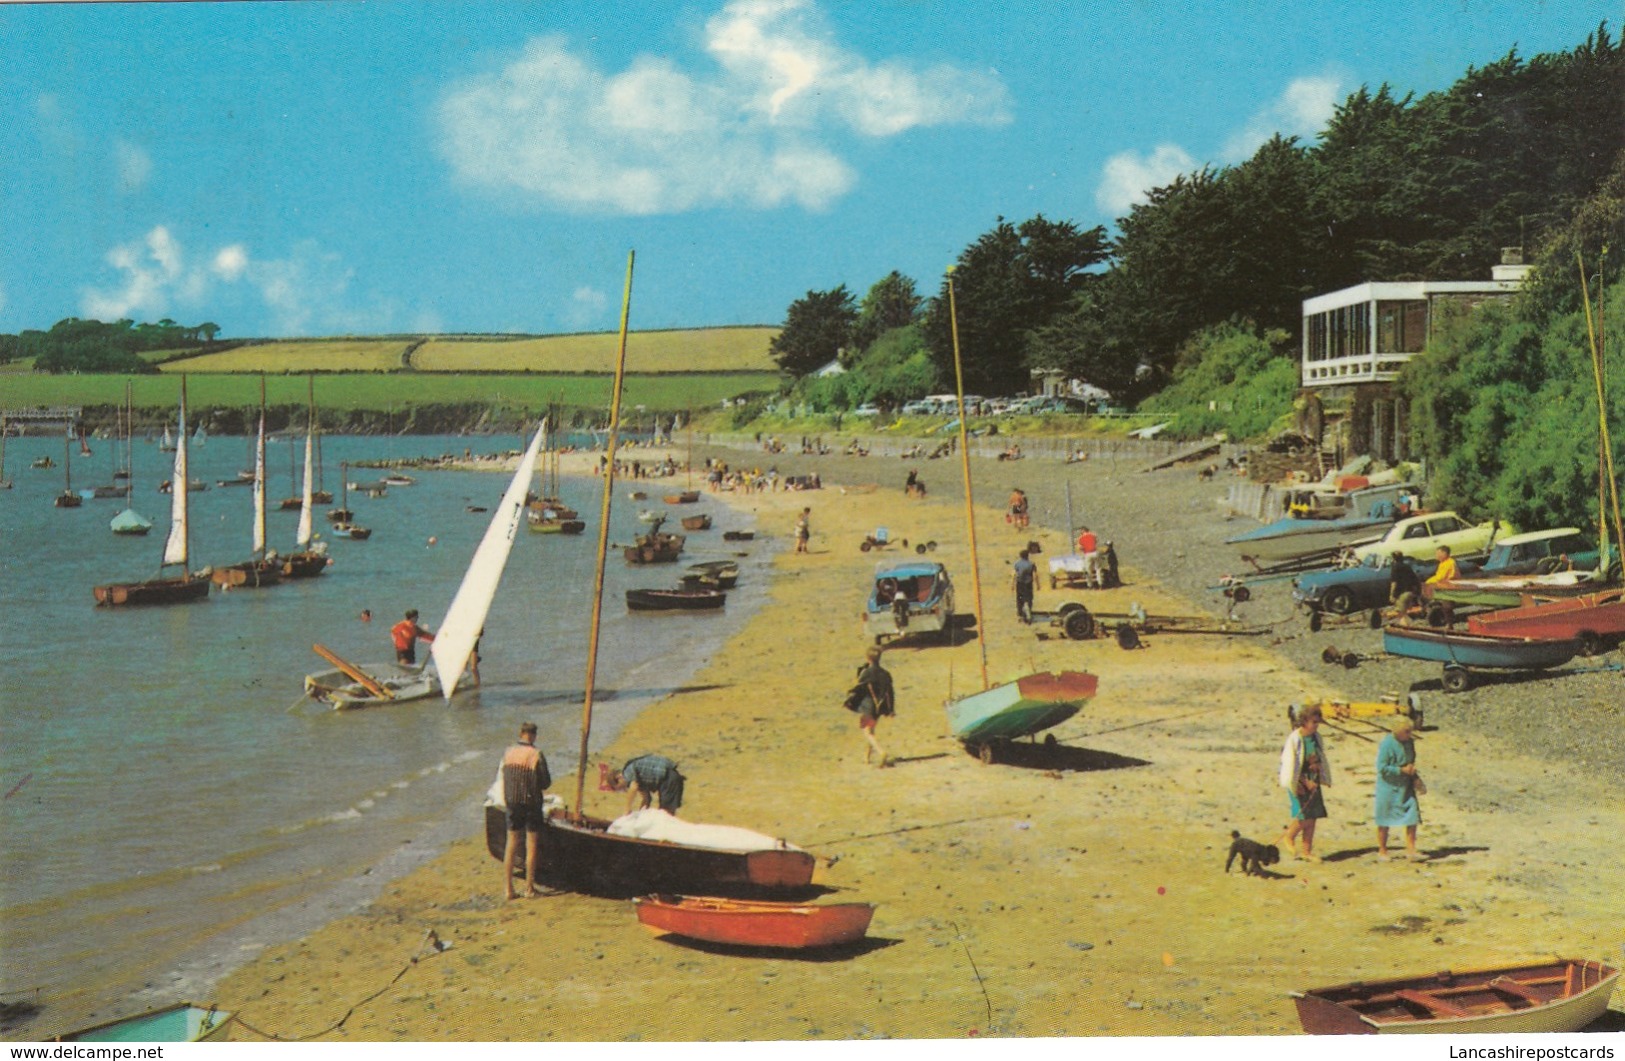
381, 392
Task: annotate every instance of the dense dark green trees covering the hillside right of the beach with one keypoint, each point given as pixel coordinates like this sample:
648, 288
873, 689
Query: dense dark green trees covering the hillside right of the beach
1397, 188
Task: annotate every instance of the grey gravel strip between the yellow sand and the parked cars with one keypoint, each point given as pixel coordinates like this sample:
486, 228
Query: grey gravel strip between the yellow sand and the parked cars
1171, 527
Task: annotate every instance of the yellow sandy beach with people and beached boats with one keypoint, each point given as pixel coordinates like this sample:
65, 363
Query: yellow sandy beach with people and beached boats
1075, 893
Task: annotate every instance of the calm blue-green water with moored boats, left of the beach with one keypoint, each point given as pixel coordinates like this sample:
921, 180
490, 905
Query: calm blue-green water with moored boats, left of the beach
171, 800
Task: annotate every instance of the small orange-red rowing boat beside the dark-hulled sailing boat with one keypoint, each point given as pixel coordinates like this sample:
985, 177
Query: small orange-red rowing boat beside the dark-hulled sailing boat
747, 924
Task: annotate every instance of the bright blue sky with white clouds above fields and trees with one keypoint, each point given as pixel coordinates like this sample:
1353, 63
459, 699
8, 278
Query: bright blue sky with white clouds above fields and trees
474, 167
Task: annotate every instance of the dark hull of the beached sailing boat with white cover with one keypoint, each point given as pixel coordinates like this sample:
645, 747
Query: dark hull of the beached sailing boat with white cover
583, 855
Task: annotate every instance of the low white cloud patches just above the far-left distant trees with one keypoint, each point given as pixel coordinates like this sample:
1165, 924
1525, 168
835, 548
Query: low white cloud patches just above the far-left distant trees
306, 292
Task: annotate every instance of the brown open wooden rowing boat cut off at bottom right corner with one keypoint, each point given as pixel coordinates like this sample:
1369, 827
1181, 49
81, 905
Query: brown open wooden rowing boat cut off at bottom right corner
1561, 995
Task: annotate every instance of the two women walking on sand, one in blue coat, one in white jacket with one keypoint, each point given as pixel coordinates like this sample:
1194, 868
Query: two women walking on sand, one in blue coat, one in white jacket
1306, 774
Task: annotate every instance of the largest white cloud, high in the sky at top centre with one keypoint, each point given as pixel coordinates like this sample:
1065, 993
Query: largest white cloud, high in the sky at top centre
758, 128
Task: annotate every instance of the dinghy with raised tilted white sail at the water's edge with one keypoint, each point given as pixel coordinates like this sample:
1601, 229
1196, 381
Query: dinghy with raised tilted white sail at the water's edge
454, 641
